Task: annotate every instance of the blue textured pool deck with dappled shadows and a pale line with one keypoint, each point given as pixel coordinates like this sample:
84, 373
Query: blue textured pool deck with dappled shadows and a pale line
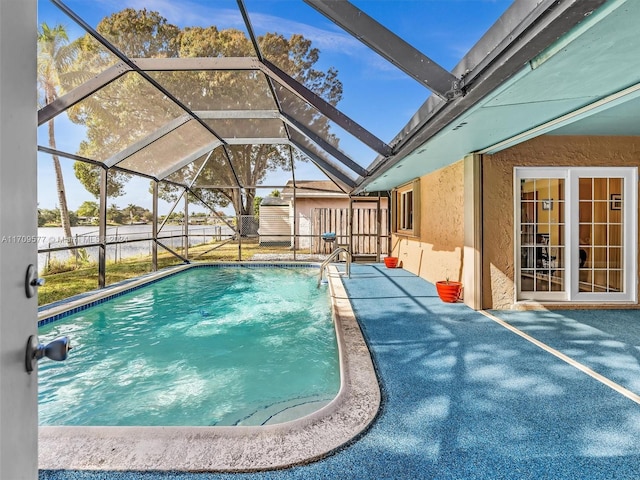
509, 395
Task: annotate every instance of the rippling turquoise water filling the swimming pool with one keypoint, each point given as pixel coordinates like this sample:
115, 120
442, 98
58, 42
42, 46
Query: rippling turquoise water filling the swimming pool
207, 346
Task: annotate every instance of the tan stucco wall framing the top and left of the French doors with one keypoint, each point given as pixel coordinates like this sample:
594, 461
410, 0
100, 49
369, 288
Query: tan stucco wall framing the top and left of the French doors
498, 221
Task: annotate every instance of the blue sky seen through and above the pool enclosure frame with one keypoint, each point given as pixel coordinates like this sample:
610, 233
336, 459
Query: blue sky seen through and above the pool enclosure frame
376, 94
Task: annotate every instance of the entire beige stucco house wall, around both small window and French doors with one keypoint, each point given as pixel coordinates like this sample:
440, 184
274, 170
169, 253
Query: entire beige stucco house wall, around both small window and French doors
438, 251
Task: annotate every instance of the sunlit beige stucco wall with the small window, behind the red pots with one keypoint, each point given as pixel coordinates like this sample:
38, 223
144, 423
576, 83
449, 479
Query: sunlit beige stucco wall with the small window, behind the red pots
437, 253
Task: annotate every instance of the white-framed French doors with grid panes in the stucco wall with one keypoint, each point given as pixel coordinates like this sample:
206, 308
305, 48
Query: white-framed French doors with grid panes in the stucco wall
576, 234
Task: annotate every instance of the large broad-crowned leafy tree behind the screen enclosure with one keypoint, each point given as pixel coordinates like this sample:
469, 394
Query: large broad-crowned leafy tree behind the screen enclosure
130, 110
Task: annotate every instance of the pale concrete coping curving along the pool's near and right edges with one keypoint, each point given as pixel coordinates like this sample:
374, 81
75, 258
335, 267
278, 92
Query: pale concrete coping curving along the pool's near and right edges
236, 448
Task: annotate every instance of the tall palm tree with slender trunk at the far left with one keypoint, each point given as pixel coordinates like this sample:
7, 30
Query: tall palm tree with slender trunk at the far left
55, 54
